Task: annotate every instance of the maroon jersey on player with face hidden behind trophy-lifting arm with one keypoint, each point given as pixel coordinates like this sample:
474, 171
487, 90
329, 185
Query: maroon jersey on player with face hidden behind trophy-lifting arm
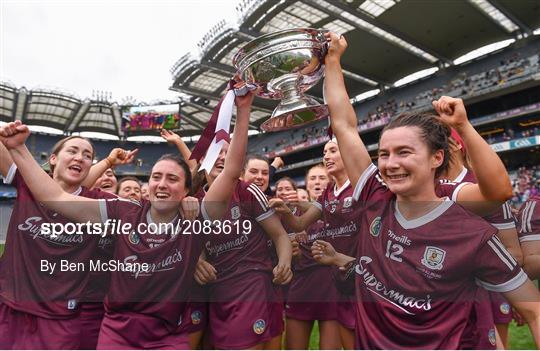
242, 250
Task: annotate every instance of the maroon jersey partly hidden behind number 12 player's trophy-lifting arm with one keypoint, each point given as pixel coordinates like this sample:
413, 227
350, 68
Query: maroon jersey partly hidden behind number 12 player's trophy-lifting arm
340, 215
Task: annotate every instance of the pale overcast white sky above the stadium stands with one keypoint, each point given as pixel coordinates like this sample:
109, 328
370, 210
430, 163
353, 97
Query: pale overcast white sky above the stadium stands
123, 47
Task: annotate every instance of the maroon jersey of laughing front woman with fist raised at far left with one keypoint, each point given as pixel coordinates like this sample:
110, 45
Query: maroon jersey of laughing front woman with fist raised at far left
159, 289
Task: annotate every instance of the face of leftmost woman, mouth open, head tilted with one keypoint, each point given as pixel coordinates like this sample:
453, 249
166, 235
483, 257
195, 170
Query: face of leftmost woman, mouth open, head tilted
72, 163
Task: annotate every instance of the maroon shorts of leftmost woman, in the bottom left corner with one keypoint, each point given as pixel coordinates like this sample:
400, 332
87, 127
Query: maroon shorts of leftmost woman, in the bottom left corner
20, 330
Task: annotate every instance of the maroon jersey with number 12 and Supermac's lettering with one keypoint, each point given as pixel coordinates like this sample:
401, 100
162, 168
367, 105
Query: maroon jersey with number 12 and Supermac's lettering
422, 272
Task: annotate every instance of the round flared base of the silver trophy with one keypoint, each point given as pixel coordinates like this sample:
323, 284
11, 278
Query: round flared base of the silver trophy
282, 120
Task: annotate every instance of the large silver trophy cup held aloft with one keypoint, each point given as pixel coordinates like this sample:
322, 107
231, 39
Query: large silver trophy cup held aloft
284, 65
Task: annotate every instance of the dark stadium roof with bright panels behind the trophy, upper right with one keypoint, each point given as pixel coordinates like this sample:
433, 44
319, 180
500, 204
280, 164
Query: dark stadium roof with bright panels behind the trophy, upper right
388, 39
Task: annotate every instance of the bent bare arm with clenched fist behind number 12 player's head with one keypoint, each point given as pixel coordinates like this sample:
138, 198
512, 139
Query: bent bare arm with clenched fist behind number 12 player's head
494, 185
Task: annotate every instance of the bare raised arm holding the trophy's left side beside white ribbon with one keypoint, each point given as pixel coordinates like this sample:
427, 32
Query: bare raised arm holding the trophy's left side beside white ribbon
221, 190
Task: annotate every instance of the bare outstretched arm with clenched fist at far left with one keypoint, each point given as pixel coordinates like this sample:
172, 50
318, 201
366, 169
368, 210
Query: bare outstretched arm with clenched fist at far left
13, 135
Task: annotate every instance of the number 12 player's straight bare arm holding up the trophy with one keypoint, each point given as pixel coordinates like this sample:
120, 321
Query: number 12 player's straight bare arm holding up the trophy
342, 116
